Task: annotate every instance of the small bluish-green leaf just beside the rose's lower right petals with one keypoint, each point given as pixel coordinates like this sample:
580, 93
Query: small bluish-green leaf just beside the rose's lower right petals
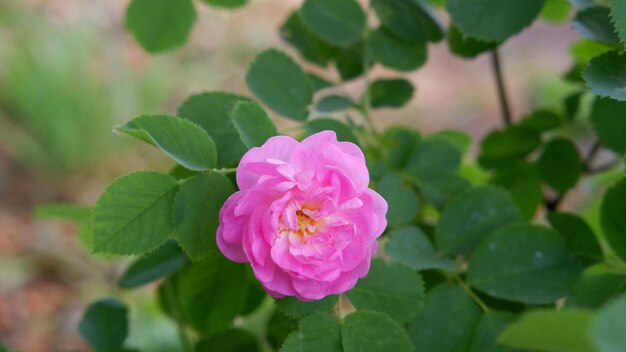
409, 245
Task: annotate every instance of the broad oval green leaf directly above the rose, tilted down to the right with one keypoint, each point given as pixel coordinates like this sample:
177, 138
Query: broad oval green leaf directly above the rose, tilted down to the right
280, 83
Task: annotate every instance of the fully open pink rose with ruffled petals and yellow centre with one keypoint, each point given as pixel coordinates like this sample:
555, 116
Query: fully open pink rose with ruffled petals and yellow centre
304, 217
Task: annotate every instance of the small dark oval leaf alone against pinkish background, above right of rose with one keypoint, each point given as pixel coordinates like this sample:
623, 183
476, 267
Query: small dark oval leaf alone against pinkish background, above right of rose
392, 93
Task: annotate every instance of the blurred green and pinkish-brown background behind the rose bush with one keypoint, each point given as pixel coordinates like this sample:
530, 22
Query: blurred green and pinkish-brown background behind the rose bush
69, 72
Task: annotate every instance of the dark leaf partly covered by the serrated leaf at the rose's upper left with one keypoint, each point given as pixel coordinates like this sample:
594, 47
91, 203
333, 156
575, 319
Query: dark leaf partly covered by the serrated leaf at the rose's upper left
211, 112
